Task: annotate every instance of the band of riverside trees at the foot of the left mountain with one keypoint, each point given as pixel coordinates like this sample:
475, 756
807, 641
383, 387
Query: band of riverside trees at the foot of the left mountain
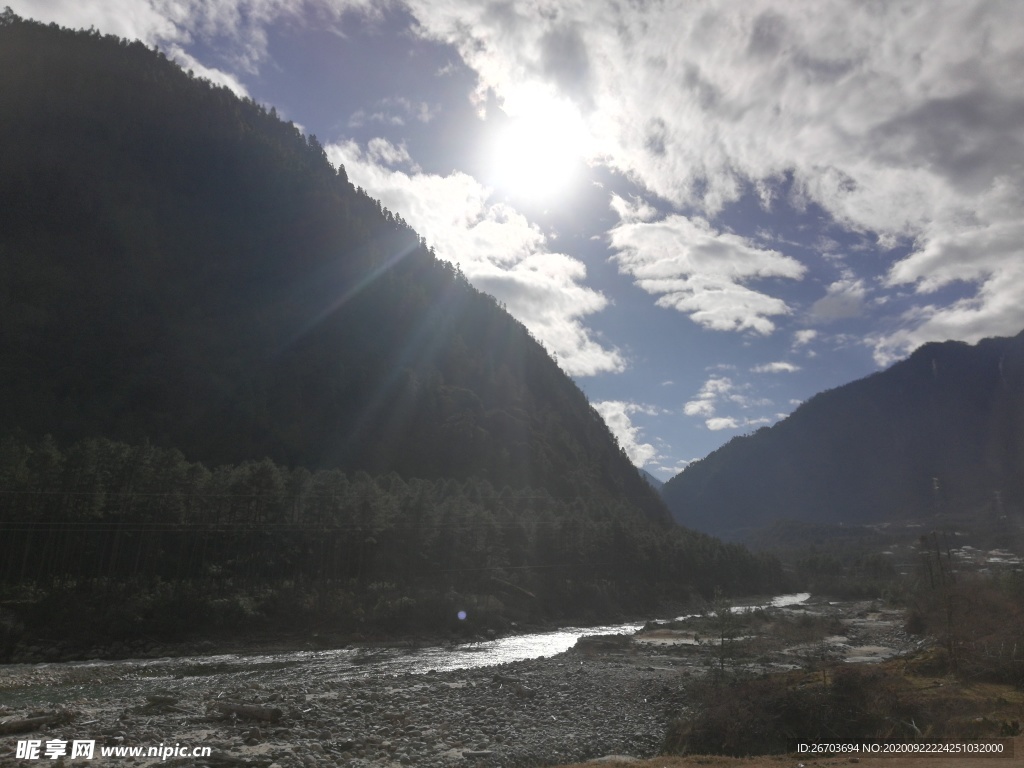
258, 544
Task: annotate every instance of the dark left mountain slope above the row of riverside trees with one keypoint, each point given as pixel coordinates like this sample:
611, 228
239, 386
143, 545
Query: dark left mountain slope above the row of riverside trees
181, 268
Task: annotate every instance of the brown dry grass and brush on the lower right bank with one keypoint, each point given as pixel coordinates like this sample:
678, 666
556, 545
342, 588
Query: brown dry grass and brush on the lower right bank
968, 690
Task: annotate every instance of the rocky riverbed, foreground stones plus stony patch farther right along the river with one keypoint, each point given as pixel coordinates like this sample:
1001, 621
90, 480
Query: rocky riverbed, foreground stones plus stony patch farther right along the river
603, 698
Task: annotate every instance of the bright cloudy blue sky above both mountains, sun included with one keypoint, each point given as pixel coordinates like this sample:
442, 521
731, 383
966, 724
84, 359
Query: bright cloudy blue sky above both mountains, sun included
707, 211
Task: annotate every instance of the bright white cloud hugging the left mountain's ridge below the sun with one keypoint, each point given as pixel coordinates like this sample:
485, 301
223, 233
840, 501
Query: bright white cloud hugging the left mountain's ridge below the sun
497, 248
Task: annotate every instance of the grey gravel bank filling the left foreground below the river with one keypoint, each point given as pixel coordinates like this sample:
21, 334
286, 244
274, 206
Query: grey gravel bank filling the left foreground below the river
537, 712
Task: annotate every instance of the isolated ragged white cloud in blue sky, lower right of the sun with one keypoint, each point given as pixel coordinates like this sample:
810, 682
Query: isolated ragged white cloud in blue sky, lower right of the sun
701, 272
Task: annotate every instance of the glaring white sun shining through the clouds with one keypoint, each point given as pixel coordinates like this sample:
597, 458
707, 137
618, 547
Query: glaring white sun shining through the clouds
539, 153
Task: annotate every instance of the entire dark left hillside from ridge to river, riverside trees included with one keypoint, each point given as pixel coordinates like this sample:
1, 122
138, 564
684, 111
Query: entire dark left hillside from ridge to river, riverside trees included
244, 403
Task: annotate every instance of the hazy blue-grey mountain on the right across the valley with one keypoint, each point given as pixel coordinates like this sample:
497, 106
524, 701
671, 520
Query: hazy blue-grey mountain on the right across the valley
942, 433
